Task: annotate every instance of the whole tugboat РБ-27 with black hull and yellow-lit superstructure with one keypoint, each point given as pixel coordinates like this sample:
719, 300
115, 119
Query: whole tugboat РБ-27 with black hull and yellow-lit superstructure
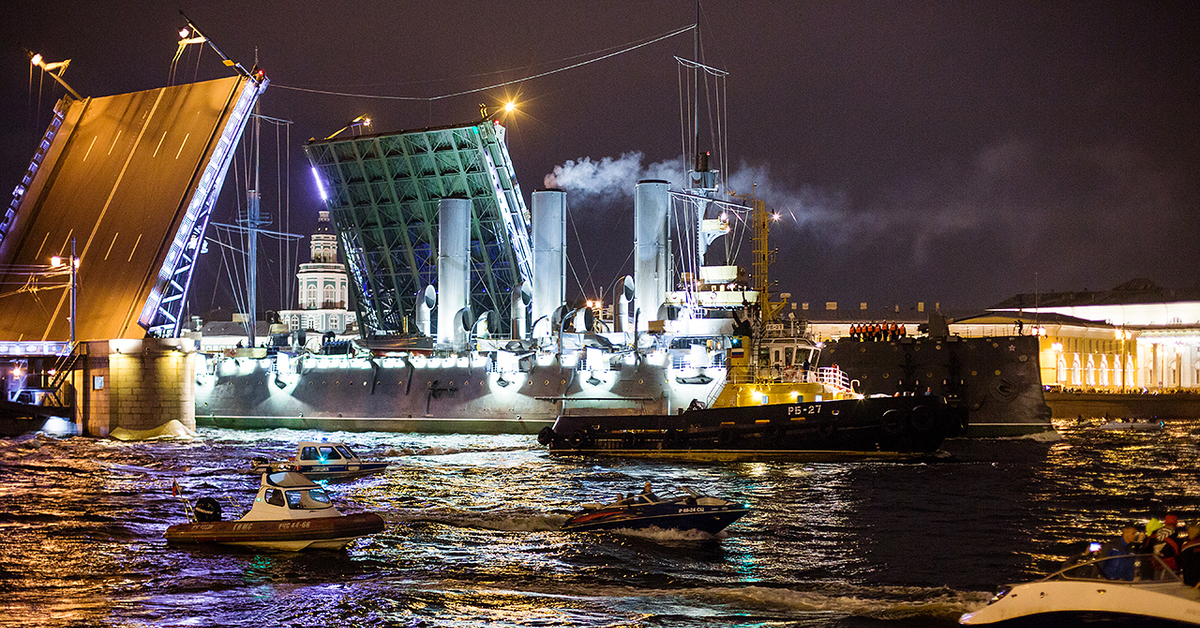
776, 400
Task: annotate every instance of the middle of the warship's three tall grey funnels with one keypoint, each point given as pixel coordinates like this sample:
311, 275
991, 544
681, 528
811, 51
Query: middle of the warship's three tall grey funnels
549, 210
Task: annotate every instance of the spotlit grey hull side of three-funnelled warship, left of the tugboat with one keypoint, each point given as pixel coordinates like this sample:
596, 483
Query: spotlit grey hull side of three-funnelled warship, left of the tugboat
352, 394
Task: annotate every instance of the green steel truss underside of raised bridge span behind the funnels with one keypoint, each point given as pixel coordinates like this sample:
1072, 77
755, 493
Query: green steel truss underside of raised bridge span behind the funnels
383, 194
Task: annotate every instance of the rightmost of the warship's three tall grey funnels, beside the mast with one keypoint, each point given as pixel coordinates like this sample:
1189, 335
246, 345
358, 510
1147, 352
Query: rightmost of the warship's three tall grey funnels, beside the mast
652, 200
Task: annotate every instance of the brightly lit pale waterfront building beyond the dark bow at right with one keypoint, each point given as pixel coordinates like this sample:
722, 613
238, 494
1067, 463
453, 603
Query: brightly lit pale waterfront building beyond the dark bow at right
1135, 338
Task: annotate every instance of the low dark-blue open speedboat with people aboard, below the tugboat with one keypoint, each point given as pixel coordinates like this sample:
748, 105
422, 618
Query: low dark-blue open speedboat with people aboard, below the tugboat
688, 511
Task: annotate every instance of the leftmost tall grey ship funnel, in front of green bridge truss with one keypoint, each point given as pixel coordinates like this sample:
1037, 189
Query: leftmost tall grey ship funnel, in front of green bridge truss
454, 271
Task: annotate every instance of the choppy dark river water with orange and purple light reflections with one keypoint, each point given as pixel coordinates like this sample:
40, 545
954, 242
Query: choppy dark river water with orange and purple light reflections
472, 534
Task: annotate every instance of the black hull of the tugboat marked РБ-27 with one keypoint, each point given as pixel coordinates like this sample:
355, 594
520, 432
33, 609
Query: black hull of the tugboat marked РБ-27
826, 430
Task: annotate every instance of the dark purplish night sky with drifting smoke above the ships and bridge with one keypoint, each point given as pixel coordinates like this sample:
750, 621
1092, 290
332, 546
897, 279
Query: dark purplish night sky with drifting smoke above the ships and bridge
941, 152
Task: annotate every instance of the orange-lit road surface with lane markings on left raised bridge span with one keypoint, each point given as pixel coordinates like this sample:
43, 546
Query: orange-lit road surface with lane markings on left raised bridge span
118, 178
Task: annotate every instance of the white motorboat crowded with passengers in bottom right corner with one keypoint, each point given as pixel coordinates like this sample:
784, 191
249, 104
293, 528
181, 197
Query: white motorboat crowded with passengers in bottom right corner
1082, 588
